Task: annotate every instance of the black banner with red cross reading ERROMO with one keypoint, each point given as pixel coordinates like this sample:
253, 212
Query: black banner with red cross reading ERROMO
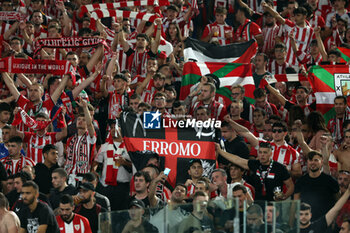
176, 144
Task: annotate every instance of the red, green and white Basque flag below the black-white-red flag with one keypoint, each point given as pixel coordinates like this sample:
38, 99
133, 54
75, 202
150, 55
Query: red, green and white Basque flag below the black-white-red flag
228, 73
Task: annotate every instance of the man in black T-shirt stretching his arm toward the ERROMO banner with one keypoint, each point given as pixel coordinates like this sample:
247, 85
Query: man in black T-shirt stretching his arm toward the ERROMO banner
267, 176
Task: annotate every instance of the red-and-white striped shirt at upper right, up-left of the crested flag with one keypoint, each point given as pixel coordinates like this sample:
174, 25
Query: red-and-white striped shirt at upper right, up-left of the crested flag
303, 37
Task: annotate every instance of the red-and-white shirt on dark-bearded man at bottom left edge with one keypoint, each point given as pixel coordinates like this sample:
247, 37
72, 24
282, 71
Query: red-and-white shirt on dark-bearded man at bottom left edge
79, 224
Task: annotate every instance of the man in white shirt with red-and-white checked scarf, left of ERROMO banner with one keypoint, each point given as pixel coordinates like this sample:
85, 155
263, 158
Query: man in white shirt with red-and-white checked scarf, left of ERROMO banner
115, 181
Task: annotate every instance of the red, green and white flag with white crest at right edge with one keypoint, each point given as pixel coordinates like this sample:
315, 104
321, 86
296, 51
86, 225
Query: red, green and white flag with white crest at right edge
327, 82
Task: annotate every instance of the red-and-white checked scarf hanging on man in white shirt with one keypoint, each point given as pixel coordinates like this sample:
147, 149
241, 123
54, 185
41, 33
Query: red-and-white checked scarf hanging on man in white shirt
112, 167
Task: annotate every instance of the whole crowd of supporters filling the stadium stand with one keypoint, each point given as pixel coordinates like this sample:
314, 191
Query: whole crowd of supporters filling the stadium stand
59, 135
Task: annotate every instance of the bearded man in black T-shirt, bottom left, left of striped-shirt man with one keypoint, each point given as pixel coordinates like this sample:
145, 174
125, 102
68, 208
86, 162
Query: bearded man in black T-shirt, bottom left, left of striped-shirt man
36, 216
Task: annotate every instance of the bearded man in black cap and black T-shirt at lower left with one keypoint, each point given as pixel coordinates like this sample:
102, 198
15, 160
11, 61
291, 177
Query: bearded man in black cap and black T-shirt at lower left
88, 207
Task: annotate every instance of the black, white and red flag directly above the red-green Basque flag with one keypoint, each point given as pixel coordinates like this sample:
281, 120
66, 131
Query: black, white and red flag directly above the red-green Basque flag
200, 51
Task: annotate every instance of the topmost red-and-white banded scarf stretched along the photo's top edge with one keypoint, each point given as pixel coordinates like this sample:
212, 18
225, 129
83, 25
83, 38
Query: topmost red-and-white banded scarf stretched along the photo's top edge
116, 5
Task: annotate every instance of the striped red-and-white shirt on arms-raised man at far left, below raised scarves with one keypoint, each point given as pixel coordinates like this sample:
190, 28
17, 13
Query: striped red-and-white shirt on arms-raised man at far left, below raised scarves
36, 143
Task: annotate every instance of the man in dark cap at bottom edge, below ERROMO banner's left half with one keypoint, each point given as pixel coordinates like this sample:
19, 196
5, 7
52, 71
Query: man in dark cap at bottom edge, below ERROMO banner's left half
137, 222
